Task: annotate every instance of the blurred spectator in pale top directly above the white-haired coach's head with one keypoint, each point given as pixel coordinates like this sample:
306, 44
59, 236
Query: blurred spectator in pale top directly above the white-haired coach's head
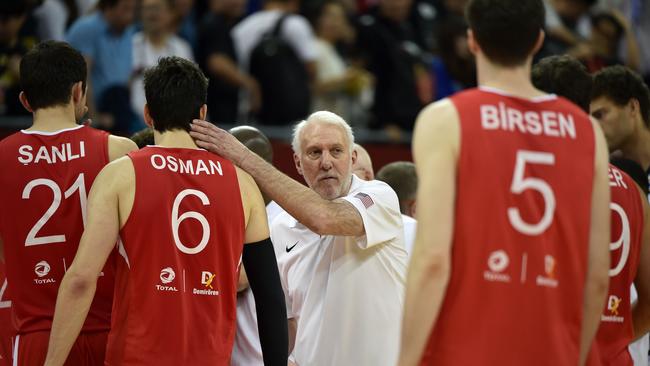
338, 86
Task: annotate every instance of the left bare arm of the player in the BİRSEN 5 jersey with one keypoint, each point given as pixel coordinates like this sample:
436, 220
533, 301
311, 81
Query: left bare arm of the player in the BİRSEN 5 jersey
435, 150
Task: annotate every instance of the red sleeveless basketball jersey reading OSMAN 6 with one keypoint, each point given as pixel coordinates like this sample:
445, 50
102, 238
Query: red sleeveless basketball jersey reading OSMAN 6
176, 283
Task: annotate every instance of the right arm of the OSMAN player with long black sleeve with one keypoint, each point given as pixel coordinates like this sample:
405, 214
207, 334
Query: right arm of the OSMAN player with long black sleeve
263, 277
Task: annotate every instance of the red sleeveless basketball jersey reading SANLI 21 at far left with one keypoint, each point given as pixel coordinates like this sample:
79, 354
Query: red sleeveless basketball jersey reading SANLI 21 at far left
45, 180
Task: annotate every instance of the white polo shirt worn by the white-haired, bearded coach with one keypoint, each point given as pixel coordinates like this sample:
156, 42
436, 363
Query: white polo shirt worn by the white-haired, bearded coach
346, 293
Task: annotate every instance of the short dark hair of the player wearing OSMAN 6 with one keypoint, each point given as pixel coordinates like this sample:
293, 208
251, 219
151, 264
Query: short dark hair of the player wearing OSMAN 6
175, 89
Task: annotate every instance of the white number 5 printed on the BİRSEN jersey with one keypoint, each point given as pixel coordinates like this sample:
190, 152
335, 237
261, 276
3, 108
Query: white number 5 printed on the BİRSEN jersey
521, 183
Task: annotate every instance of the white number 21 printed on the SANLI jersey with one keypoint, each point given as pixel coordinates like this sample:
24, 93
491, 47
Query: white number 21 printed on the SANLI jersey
78, 185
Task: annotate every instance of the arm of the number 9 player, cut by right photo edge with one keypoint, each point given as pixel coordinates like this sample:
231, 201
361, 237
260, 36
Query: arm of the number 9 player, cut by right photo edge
641, 309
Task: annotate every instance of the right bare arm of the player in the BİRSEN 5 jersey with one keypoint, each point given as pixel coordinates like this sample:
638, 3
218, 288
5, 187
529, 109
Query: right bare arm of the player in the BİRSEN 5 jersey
597, 280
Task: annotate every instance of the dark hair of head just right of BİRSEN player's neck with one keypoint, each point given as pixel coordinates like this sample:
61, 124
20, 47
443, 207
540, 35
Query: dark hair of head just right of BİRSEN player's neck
566, 77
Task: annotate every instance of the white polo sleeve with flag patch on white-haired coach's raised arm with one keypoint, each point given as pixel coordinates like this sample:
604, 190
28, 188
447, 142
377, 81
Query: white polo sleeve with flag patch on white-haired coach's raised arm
378, 206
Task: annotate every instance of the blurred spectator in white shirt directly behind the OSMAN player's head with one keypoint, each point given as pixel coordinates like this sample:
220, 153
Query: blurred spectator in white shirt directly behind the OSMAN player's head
155, 41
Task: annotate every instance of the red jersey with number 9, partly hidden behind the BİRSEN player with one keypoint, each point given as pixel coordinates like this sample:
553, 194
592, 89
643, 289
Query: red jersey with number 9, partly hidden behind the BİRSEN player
616, 331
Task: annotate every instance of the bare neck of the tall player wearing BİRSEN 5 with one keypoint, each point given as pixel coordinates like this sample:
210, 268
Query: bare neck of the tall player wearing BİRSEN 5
511, 80
